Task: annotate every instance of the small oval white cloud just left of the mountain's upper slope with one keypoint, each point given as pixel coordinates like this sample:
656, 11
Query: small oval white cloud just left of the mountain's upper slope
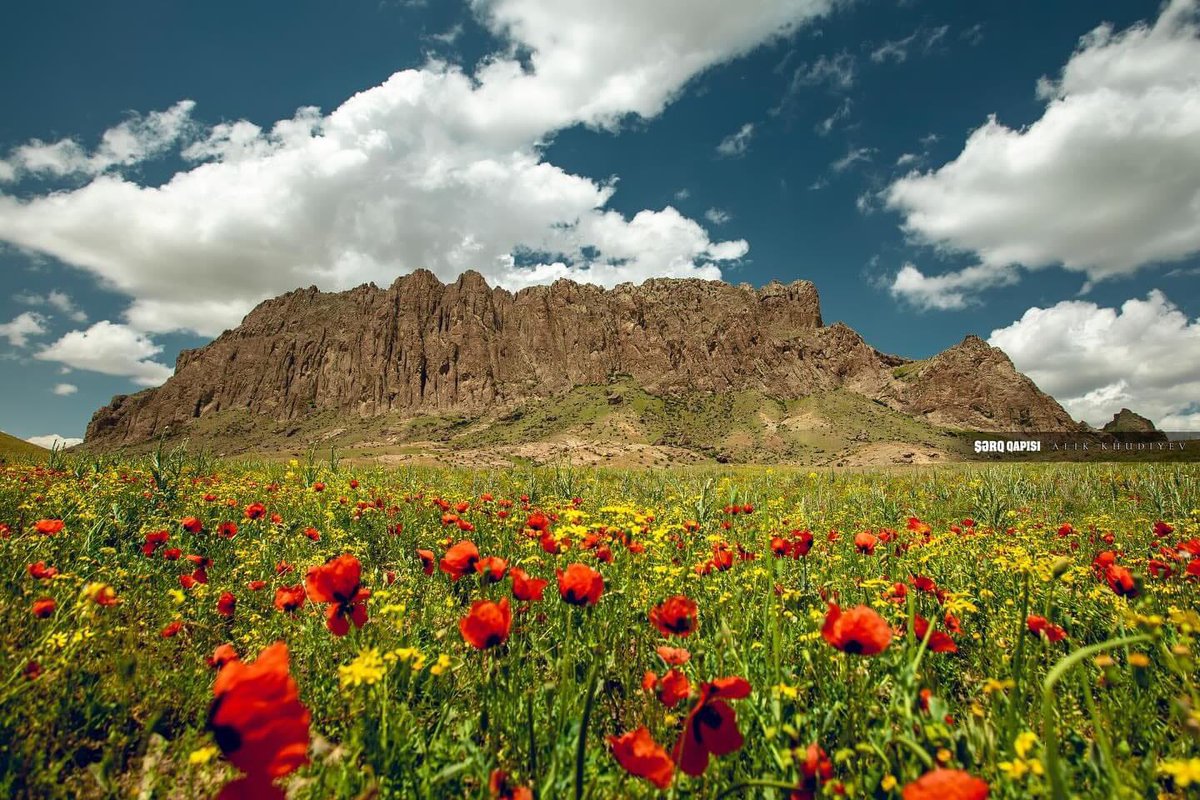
111, 350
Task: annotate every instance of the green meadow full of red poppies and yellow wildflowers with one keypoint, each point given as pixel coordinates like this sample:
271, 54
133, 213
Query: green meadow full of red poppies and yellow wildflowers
184, 628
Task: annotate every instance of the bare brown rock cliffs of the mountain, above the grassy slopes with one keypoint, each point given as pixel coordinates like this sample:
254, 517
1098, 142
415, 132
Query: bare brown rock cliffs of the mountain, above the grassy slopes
423, 347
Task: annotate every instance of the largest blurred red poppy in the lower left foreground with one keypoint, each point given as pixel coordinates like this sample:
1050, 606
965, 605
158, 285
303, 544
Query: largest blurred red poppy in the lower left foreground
257, 719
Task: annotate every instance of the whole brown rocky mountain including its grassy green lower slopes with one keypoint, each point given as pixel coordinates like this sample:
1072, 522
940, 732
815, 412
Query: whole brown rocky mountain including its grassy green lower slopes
689, 370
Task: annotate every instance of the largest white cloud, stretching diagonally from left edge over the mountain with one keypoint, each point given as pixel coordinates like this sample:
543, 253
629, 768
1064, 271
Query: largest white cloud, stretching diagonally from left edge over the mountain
436, 169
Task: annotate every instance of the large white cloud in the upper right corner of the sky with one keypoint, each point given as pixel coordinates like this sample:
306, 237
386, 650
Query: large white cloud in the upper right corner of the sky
1106, 183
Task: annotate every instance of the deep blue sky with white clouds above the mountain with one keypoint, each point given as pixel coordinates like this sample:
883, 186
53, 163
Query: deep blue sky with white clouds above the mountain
1027, 172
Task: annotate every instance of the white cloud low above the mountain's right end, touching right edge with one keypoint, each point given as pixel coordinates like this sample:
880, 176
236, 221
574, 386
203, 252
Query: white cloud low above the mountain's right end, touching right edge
1096, 362
